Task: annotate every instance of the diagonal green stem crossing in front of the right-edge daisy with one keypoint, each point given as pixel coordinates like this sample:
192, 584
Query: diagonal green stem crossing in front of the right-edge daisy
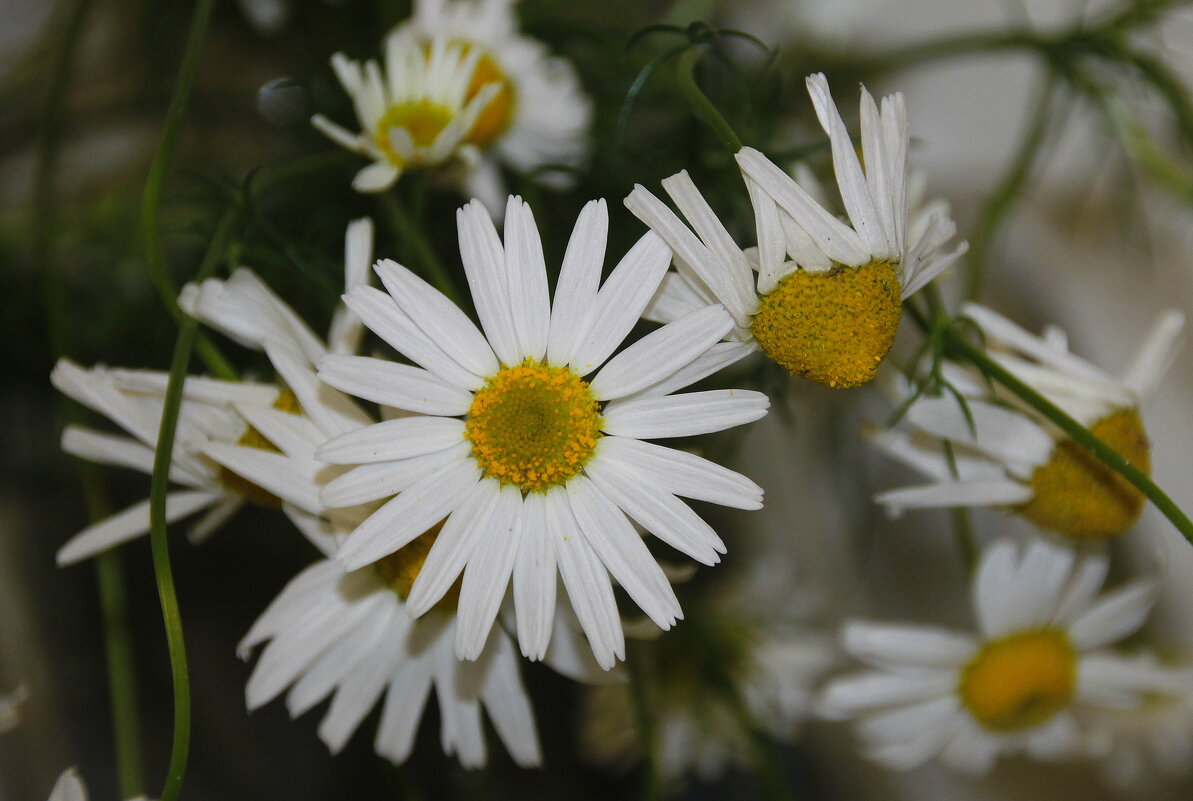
1078, 433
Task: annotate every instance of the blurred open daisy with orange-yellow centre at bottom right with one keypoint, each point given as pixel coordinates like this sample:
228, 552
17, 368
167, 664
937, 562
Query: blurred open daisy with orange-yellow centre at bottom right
1025, 682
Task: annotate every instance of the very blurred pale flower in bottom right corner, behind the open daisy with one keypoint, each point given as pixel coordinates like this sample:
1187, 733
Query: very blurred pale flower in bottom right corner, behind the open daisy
1153, 741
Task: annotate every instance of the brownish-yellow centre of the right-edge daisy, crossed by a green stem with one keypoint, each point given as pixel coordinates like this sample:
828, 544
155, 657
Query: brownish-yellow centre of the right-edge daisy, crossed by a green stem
1078, 496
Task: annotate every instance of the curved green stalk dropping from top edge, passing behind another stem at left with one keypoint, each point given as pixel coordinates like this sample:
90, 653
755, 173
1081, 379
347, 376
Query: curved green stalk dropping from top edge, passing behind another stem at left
151, 200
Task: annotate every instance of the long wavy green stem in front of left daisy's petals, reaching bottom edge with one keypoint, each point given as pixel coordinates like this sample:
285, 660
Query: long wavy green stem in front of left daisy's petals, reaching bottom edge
158, 489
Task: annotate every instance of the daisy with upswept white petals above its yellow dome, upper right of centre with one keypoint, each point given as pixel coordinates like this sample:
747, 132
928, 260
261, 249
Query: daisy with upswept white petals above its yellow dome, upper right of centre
830, 293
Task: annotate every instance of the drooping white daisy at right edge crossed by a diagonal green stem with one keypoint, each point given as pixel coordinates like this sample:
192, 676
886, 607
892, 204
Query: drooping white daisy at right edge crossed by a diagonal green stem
1012, 458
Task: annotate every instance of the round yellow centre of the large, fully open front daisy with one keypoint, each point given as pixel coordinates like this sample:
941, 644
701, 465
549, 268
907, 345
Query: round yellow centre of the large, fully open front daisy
534, 426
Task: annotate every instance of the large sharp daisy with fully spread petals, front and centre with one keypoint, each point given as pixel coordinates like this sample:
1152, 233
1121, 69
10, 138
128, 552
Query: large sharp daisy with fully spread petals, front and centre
533, 461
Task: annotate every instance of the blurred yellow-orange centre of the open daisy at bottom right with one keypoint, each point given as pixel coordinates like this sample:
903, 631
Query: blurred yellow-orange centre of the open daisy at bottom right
1021, 681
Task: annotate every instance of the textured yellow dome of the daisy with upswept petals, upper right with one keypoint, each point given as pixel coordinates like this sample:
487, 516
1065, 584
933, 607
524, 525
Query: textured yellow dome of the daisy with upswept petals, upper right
833, 328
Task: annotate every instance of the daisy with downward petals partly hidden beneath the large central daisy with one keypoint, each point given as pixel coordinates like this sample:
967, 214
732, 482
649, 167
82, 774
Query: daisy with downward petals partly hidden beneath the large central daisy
348, 636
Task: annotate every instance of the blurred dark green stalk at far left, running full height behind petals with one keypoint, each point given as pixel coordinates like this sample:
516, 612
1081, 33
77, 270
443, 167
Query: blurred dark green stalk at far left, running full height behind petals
122, 685
